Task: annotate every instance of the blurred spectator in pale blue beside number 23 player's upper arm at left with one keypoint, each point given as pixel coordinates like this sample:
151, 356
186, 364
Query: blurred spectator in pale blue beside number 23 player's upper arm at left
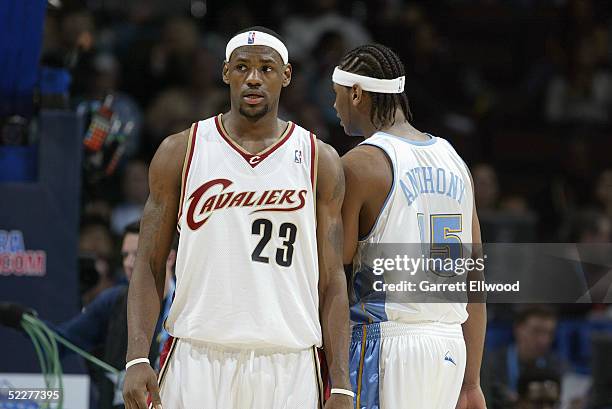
135, 189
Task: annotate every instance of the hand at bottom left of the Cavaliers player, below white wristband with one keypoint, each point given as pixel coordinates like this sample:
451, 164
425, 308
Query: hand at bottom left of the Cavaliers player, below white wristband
139, 379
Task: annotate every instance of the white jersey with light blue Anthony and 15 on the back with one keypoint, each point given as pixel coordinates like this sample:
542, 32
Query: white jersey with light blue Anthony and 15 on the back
430, 204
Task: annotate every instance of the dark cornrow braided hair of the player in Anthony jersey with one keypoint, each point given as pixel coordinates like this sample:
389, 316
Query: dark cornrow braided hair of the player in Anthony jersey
378, 61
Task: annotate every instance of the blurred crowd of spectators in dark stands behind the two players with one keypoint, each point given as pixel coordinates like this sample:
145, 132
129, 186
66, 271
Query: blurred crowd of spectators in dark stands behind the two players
521, 88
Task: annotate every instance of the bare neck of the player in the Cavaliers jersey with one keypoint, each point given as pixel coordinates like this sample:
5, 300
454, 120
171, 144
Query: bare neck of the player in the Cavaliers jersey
239, 126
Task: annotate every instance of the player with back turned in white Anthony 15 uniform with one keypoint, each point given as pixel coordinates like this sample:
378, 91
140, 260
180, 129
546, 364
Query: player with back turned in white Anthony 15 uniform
409, 354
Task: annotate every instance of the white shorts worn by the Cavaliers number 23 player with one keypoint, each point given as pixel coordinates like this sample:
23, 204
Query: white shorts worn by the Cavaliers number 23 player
204, 376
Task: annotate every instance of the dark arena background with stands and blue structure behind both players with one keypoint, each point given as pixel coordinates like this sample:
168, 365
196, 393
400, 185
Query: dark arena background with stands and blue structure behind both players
521, 88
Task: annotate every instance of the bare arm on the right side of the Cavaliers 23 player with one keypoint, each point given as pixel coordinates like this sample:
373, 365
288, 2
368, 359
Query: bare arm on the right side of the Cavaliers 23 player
333, 300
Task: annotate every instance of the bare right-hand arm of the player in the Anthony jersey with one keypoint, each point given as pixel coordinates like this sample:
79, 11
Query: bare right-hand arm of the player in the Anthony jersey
471, 396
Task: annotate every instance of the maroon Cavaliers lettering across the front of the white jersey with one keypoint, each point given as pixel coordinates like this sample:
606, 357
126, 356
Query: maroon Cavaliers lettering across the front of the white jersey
226, 200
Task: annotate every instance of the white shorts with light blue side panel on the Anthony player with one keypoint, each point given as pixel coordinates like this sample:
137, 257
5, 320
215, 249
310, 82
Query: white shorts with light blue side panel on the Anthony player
407, 366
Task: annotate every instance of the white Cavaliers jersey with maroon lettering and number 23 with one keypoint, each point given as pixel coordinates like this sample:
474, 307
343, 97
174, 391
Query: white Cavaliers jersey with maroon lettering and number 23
247, 268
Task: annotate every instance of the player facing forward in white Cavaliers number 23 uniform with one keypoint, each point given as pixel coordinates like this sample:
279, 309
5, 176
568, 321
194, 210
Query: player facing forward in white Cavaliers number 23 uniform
260, 282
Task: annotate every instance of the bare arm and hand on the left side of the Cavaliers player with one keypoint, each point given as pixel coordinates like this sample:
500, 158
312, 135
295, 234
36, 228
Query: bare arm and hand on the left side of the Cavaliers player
146, 290
